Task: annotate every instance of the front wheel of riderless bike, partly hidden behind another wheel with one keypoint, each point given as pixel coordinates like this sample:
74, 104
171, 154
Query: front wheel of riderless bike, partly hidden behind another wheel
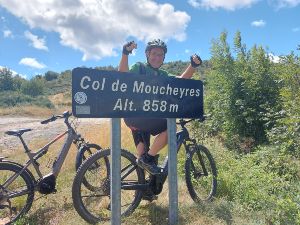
84, 153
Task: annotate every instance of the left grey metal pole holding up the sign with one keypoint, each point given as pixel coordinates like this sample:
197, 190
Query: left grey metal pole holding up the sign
115, 170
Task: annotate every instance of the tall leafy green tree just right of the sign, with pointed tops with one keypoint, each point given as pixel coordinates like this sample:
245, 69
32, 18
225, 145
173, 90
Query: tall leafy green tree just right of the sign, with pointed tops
242, 92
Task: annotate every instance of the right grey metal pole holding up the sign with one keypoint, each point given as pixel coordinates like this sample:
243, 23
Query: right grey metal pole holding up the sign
172, 168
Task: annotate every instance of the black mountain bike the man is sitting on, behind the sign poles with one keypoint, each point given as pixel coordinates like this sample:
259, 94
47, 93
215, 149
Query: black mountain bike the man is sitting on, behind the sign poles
94, 206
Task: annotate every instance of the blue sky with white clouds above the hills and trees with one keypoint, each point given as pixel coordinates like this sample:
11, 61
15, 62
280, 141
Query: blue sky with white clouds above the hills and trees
37, 36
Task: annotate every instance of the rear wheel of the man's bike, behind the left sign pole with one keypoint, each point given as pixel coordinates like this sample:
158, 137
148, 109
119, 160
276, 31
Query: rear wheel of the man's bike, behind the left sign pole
95, 207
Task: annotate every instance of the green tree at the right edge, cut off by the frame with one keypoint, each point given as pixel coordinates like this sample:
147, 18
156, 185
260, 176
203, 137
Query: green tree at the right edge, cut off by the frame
286, 132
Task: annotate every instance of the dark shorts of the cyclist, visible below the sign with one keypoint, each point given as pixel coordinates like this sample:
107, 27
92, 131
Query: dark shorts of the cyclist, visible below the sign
142, 128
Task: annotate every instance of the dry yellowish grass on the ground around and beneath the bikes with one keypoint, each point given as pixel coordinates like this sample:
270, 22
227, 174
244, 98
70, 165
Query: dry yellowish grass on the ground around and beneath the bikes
58, 208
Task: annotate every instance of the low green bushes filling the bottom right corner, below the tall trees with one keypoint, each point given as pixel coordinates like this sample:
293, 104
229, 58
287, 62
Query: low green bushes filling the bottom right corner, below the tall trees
264, 181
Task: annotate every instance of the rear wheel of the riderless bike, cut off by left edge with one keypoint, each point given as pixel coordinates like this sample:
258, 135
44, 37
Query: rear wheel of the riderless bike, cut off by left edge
19, 205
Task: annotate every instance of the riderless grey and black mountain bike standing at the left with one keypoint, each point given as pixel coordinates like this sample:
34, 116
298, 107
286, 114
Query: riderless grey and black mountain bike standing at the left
17, 183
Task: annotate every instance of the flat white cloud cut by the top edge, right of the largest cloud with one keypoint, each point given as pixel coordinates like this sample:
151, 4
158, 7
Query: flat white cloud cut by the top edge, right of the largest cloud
225, 4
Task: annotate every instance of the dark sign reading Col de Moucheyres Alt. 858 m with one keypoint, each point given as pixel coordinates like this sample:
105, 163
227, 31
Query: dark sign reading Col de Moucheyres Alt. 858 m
111, 94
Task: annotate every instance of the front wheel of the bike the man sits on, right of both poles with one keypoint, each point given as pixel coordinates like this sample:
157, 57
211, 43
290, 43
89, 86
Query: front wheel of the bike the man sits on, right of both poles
201, 174
